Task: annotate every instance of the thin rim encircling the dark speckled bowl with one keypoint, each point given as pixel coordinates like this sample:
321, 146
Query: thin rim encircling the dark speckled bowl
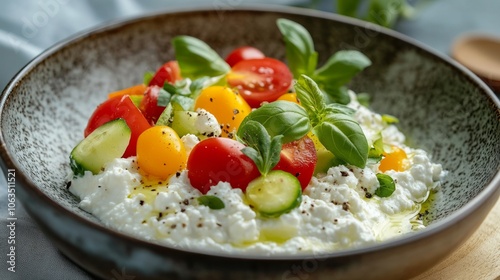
492, 189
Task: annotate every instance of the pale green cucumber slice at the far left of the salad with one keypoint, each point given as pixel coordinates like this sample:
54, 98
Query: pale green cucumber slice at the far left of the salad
105, 143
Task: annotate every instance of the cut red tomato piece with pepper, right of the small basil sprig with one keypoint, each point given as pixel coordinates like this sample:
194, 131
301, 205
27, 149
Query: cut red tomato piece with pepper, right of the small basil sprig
299, 158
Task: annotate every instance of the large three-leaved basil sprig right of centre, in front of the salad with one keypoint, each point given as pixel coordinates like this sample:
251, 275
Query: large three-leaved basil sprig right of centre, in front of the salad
331, 123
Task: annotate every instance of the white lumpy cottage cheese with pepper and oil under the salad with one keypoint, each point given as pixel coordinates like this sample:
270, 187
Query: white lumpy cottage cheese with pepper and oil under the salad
338, 209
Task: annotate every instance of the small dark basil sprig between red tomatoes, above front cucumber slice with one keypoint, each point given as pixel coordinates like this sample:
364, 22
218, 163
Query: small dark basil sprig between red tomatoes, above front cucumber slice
261, 148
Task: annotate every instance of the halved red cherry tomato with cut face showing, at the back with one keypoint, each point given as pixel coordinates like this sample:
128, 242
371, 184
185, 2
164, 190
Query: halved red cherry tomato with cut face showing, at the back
260, 80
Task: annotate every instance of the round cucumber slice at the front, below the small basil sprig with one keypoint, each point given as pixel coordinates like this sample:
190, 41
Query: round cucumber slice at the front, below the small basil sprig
274, 194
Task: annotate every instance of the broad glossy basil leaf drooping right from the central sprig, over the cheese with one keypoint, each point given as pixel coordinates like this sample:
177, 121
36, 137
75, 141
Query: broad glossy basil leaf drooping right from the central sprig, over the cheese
343, 136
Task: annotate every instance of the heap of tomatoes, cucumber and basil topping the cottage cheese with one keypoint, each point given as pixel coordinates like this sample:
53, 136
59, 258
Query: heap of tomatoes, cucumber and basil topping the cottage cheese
258, 124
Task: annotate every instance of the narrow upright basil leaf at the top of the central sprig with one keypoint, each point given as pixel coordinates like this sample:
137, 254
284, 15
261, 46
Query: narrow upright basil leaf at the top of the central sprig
310, 97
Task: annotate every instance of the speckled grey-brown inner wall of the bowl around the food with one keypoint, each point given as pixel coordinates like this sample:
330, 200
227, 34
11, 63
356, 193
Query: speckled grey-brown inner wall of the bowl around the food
440, 109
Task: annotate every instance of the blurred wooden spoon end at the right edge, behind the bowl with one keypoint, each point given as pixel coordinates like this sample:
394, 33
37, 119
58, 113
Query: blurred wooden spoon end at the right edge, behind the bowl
481, 54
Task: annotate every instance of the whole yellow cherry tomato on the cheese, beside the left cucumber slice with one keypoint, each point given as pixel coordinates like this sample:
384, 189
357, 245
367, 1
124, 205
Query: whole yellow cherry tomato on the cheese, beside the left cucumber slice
160, 152
